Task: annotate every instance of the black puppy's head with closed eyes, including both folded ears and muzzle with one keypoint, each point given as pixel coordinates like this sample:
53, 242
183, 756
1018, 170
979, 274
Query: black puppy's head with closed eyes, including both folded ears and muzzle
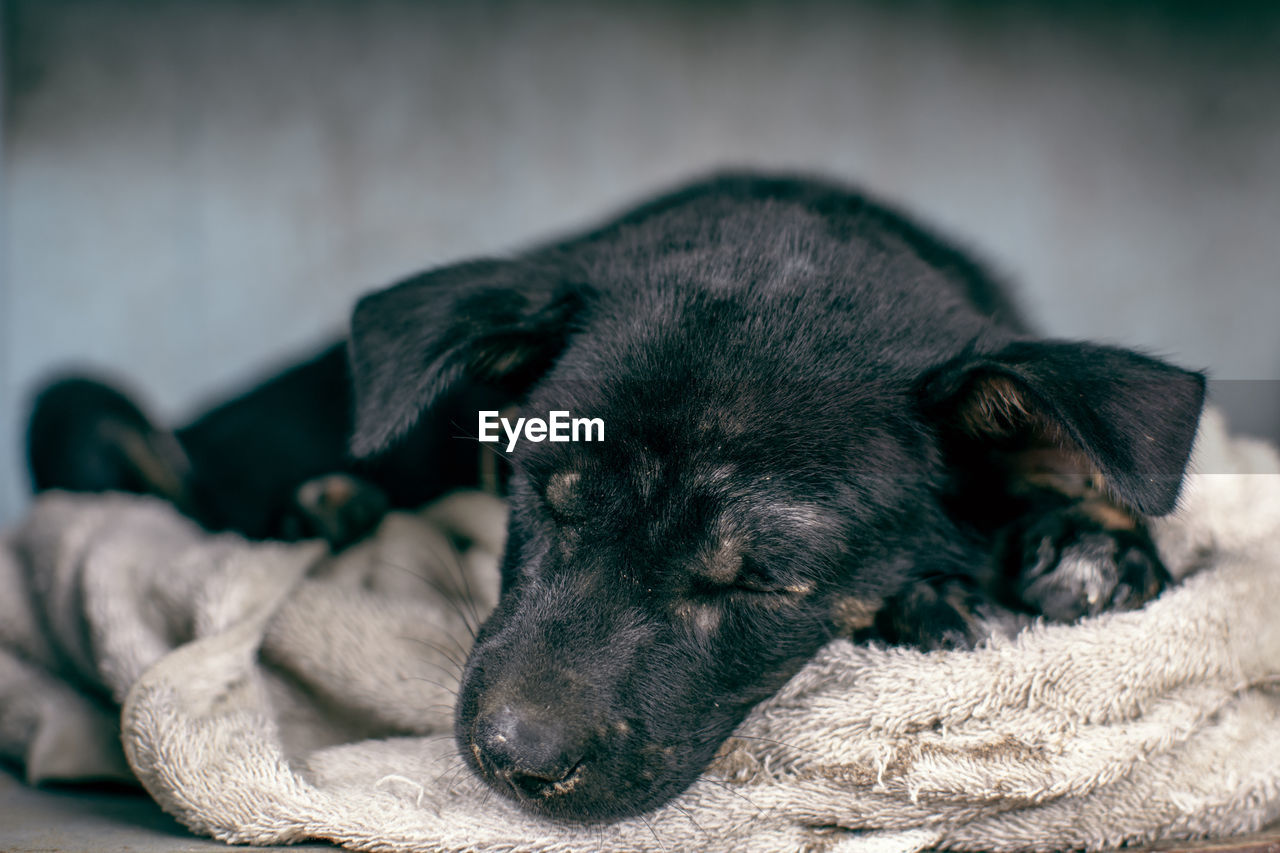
771, 472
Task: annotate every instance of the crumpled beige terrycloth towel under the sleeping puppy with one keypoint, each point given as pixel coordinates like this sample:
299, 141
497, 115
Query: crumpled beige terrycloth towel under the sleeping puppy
273, 695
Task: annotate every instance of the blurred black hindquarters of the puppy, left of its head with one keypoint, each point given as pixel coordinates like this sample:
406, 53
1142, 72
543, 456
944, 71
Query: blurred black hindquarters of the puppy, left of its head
254, 464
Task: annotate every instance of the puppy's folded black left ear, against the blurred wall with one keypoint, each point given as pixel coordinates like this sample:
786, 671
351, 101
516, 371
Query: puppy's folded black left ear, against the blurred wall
496, 322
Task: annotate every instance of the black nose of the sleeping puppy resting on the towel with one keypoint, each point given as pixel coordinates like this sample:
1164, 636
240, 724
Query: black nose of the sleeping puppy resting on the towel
529, 750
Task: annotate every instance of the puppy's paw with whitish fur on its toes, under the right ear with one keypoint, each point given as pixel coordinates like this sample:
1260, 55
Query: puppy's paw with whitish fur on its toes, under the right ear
1073, 565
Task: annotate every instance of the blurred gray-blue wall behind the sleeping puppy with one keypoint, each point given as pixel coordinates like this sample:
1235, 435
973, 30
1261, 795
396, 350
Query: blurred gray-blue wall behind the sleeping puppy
196, 191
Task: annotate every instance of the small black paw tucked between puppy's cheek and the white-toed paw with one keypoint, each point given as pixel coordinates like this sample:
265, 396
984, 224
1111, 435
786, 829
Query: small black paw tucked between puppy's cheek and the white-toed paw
934, 615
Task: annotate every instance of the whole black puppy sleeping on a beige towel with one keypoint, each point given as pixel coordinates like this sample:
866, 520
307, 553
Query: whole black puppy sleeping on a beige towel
819, 421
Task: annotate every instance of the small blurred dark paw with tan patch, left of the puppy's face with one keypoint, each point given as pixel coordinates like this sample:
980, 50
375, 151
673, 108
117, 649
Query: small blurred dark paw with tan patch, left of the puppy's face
340, 509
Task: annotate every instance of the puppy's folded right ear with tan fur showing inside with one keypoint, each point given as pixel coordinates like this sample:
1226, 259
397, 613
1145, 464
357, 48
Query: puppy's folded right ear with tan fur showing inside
1133, 418
